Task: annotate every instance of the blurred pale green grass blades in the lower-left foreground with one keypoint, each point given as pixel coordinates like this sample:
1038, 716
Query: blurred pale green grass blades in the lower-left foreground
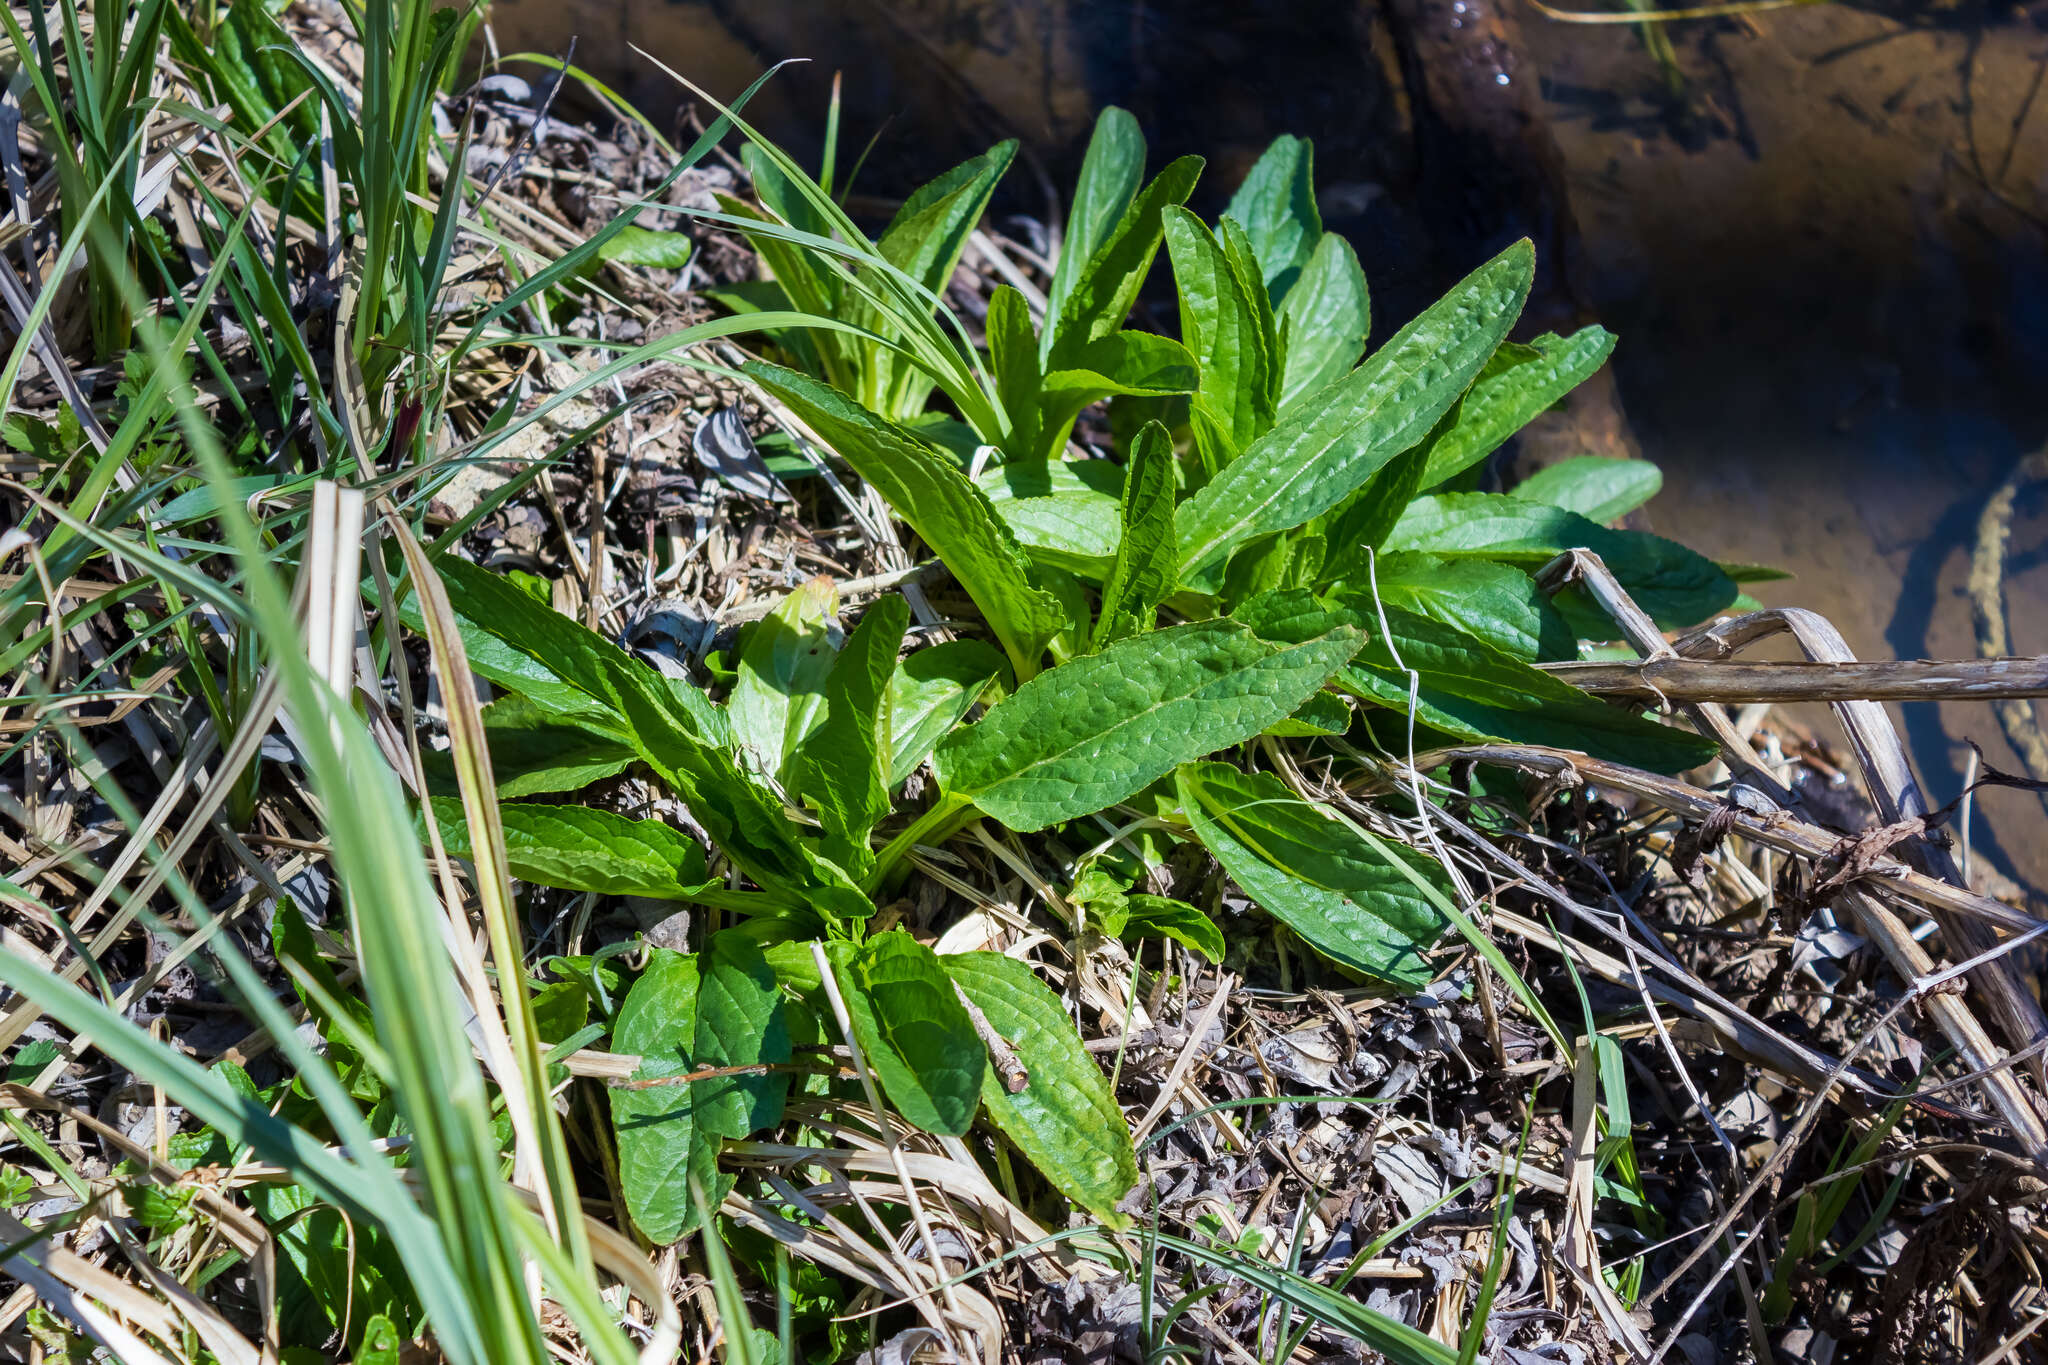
468, 1251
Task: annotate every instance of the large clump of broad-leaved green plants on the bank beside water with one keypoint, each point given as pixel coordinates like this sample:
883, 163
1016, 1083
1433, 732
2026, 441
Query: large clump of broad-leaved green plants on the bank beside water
1261, 535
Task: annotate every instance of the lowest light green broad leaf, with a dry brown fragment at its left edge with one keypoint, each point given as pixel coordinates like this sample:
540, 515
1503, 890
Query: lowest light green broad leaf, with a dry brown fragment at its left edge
1066, 1118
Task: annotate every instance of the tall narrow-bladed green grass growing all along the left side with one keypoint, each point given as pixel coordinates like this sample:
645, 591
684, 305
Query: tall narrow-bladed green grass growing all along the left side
417, 1190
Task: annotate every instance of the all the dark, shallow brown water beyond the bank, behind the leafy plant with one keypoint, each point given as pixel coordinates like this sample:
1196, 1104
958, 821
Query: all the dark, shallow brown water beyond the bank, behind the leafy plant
1830, 271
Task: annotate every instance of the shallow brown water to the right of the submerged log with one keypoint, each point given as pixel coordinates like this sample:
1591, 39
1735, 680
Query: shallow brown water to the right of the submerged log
1836, 320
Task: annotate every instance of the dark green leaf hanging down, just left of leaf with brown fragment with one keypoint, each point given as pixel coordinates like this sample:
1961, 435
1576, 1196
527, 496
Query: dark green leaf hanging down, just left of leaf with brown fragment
914, 1032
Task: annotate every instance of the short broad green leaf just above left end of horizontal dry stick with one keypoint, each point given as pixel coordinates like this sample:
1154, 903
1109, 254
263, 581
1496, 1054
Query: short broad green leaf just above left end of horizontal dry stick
1496, 603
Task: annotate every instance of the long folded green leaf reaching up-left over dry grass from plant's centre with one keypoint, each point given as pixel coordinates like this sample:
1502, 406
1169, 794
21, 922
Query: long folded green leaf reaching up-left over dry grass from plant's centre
939, 502
